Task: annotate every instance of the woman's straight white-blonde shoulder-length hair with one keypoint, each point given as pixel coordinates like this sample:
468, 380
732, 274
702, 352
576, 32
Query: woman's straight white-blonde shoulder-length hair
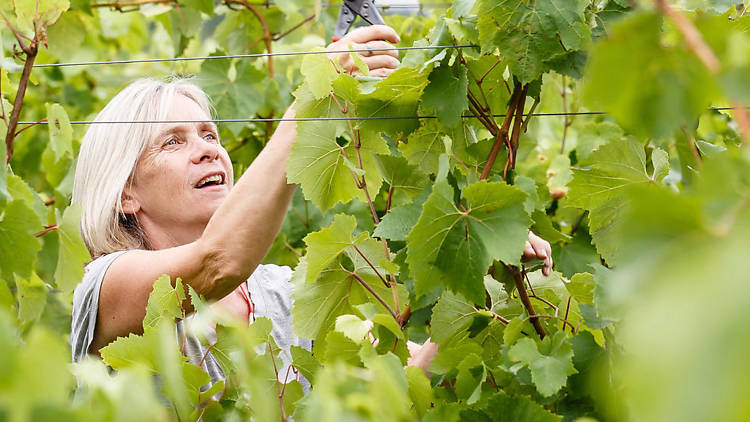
109, 155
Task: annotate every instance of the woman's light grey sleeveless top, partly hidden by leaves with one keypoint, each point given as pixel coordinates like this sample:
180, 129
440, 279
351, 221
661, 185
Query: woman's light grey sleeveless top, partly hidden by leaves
270, 291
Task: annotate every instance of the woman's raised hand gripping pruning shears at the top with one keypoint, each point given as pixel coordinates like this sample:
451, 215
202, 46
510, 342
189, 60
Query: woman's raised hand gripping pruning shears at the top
373, 38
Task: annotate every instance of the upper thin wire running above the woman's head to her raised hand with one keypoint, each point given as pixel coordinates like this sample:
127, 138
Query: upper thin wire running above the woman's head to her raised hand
254, 55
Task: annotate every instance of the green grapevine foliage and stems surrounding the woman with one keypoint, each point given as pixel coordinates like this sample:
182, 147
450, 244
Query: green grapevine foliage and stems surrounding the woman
416, 196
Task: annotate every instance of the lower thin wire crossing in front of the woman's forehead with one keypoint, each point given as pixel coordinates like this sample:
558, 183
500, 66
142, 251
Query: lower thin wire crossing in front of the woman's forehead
317, 119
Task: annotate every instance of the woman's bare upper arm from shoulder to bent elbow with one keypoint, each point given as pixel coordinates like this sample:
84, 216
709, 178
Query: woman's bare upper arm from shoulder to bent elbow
129, 280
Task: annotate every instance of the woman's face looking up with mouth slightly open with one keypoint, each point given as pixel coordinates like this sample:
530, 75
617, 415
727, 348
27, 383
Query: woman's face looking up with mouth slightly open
181, 179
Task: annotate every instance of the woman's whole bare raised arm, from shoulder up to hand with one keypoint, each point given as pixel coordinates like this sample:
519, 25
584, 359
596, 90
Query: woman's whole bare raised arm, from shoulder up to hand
237, 236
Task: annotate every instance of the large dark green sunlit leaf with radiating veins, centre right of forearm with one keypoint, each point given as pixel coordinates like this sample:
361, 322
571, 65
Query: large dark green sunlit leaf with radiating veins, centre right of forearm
452, 247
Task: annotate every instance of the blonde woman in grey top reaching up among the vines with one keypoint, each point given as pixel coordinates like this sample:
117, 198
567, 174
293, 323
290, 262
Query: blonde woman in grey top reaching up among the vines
161, 199
